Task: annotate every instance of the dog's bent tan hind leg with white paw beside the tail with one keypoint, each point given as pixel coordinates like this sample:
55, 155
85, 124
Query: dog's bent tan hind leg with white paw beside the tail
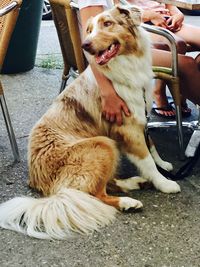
94, 162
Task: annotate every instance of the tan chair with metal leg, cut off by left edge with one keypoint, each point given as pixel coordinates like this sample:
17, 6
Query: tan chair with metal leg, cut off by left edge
8, 16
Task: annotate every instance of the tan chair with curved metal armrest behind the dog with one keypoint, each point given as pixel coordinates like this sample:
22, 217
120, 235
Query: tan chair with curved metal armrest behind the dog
64, 15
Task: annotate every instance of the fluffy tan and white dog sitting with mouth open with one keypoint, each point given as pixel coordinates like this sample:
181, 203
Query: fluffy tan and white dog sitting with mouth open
73, 152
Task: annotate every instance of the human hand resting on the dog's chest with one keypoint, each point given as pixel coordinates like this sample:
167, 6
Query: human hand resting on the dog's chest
113, 108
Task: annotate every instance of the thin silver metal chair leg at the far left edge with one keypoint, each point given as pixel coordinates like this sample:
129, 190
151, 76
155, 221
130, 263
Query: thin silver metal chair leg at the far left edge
9, 127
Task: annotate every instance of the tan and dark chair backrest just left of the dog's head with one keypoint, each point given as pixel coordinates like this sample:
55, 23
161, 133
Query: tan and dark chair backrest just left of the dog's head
66, 24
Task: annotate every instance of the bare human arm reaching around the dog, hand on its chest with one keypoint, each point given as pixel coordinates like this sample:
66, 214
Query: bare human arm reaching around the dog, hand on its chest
112, 104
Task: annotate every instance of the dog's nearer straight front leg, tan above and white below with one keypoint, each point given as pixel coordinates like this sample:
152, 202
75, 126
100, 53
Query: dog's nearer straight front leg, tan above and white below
132, 142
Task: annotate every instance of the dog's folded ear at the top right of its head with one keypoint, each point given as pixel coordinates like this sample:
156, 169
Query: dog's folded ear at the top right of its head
130, 15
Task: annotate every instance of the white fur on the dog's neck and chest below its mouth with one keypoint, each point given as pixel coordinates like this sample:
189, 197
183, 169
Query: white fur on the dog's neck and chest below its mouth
132, 79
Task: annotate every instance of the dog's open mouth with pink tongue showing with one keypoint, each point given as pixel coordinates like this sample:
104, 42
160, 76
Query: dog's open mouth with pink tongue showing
104, 56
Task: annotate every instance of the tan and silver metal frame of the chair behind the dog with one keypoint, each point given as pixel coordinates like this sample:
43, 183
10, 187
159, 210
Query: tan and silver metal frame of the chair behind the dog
170, 75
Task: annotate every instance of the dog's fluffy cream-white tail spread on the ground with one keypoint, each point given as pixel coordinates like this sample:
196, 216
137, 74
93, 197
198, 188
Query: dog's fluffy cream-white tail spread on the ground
56, 216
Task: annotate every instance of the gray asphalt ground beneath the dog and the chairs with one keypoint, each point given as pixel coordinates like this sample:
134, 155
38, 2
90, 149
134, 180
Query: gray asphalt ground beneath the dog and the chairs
164, 233
